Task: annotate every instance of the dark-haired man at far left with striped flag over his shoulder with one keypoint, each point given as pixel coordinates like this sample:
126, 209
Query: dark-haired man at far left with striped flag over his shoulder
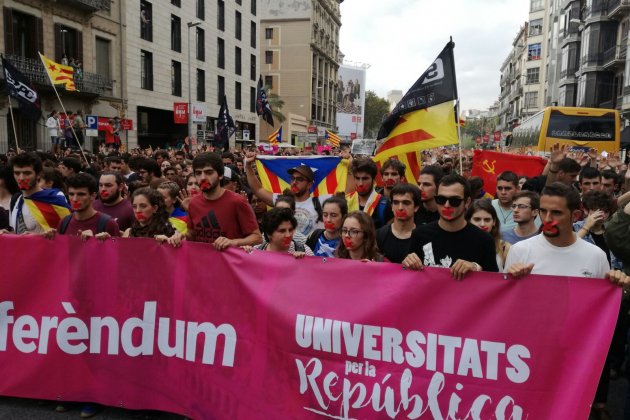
35, 210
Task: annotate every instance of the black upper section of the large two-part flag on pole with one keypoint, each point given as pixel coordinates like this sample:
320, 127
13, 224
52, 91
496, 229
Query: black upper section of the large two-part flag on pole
436, 85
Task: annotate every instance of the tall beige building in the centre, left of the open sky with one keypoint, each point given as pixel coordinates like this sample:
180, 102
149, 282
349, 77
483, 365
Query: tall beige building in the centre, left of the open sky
299, 52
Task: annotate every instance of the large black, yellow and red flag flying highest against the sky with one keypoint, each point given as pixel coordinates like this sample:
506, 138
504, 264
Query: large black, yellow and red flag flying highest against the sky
424, 118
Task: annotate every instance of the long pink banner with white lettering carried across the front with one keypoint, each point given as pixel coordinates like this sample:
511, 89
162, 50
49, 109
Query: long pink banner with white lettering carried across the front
232, 335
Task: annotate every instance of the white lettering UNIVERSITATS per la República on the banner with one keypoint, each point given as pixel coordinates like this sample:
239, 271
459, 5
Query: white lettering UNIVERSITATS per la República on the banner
421, 353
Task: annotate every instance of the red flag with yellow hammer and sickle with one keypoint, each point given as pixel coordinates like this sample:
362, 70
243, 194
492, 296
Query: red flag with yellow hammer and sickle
488, 165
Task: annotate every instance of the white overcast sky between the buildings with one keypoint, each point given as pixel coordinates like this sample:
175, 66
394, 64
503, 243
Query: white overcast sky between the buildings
401, 38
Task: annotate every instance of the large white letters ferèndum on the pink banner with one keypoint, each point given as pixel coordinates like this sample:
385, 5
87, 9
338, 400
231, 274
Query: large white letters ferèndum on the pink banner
74, 336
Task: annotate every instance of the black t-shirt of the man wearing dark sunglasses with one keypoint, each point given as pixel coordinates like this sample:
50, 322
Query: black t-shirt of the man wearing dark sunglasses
443, 248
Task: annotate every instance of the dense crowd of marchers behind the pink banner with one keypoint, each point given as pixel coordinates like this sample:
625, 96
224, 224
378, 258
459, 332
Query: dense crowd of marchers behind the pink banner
572, 220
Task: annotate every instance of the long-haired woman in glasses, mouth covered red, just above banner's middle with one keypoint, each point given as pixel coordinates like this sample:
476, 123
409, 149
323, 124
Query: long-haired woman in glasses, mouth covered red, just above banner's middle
358, 239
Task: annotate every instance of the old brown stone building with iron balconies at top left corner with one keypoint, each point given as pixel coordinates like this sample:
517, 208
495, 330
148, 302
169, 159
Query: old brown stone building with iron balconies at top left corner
86, 31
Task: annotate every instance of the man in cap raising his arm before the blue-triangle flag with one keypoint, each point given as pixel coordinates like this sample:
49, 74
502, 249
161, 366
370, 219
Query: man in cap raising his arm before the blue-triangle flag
308, 209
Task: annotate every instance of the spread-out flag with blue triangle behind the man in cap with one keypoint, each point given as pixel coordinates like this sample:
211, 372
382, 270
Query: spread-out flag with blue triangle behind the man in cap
331, 172
